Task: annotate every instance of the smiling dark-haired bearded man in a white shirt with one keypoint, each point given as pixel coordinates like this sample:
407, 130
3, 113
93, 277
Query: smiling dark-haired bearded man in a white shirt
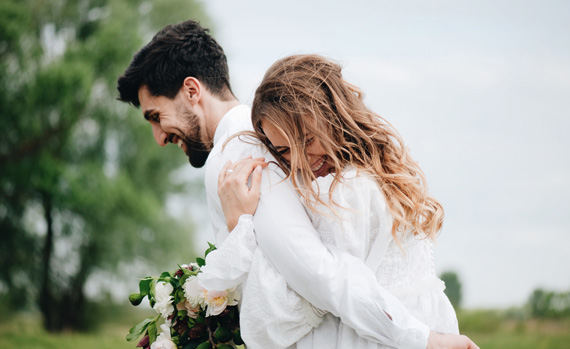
181, 82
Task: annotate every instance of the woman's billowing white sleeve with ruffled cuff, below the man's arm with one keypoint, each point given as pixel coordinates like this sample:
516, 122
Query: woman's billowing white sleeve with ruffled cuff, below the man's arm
286, 316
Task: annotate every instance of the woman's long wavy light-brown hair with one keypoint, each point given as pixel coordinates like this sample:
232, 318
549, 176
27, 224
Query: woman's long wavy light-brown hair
305, 96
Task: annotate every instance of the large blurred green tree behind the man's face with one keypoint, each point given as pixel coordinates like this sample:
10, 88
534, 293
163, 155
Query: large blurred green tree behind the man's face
83, 186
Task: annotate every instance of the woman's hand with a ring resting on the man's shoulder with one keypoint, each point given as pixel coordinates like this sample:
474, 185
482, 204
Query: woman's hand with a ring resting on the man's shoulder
236, 196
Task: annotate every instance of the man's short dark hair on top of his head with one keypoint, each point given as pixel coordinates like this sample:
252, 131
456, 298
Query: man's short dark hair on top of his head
174, 53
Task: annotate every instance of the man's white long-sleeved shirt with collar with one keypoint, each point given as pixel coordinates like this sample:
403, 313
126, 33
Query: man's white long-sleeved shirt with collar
328, 278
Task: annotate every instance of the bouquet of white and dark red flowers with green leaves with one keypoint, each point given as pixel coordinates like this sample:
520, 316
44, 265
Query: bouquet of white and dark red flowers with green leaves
194, 318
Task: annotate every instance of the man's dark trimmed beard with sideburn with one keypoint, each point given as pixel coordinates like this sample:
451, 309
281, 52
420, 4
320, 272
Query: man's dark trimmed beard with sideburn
196, 150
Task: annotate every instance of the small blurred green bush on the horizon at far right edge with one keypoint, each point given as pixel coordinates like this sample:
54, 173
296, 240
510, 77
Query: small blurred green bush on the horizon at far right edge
549, 304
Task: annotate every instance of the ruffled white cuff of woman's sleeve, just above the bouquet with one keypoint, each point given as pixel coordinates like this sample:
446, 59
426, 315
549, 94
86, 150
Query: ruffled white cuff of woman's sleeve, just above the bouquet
227, 266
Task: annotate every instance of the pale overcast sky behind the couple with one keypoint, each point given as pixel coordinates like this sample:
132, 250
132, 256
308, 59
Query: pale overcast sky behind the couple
479, 91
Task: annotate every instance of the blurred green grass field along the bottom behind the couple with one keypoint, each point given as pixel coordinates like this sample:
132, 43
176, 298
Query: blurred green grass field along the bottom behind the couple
488, 328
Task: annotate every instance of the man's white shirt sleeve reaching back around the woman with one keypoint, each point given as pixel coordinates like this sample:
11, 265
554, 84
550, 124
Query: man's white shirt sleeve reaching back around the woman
329, 278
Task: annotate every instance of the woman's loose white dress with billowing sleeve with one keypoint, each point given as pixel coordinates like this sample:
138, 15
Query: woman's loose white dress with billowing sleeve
274, 316
